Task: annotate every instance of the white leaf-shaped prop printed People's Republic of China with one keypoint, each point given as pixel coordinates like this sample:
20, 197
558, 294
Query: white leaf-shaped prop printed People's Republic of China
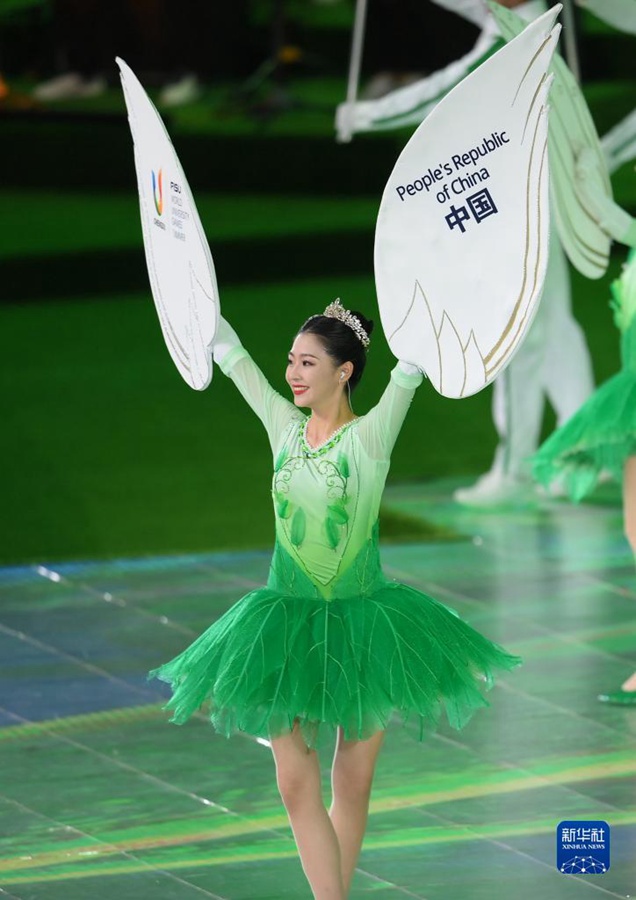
461, 239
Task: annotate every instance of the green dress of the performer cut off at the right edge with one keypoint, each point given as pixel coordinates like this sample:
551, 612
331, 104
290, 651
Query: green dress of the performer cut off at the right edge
602, 433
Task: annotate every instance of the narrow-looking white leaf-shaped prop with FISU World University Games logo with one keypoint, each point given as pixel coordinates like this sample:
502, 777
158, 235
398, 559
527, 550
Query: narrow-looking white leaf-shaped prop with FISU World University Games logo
179, 261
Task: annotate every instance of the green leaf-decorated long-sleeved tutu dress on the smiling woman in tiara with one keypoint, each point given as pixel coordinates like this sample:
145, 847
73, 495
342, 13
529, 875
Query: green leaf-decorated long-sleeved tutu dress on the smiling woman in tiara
330, 641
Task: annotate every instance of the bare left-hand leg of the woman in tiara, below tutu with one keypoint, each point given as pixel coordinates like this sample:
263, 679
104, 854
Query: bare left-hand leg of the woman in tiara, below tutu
298, 776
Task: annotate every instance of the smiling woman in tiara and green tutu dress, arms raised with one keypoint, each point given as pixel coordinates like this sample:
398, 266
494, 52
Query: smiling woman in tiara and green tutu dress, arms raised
329, 641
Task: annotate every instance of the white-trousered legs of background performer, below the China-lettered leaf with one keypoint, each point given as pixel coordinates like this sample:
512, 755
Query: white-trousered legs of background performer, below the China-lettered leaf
553, 361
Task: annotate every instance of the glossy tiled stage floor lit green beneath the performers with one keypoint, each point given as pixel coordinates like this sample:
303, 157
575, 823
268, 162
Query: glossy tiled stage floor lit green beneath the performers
100, 797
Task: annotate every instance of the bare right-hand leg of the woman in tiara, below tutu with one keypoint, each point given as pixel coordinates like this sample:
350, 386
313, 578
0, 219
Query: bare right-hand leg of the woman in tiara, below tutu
351, 780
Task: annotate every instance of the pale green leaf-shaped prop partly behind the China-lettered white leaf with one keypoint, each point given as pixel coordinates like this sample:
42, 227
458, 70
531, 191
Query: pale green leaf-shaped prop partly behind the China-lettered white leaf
572, 131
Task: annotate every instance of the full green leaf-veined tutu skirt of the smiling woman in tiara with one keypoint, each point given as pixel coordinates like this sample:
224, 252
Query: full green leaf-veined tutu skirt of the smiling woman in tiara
283, 654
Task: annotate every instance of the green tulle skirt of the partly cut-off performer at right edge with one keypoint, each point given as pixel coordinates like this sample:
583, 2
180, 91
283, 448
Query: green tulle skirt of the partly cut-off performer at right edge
599, 437
